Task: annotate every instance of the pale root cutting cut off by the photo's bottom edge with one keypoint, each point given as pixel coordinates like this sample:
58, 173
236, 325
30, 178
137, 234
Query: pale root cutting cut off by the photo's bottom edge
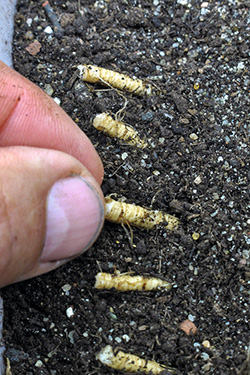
131, 363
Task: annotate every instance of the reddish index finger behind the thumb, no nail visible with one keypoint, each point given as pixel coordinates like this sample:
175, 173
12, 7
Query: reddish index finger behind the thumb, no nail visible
29, 117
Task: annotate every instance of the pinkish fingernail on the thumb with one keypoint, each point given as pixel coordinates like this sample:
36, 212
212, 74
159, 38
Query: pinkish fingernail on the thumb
75, 215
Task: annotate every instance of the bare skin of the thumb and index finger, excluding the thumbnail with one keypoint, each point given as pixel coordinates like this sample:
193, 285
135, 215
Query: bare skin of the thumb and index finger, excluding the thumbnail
39, 145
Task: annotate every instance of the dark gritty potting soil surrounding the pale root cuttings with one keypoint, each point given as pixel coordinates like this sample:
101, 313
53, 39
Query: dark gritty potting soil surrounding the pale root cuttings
196, 167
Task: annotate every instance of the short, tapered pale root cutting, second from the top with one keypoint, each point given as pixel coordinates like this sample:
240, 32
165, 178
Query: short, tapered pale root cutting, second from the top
117, 129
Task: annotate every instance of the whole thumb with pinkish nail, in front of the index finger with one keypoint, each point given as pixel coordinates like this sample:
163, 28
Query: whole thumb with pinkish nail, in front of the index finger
51, 210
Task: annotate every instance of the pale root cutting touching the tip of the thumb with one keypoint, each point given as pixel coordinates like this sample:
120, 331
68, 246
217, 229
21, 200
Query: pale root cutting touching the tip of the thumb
121, 212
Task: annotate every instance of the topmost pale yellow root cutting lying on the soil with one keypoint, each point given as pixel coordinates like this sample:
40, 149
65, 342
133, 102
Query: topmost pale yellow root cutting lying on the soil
95, 74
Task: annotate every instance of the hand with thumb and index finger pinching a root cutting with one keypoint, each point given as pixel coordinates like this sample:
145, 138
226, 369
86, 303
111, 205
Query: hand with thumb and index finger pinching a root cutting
51, 204
